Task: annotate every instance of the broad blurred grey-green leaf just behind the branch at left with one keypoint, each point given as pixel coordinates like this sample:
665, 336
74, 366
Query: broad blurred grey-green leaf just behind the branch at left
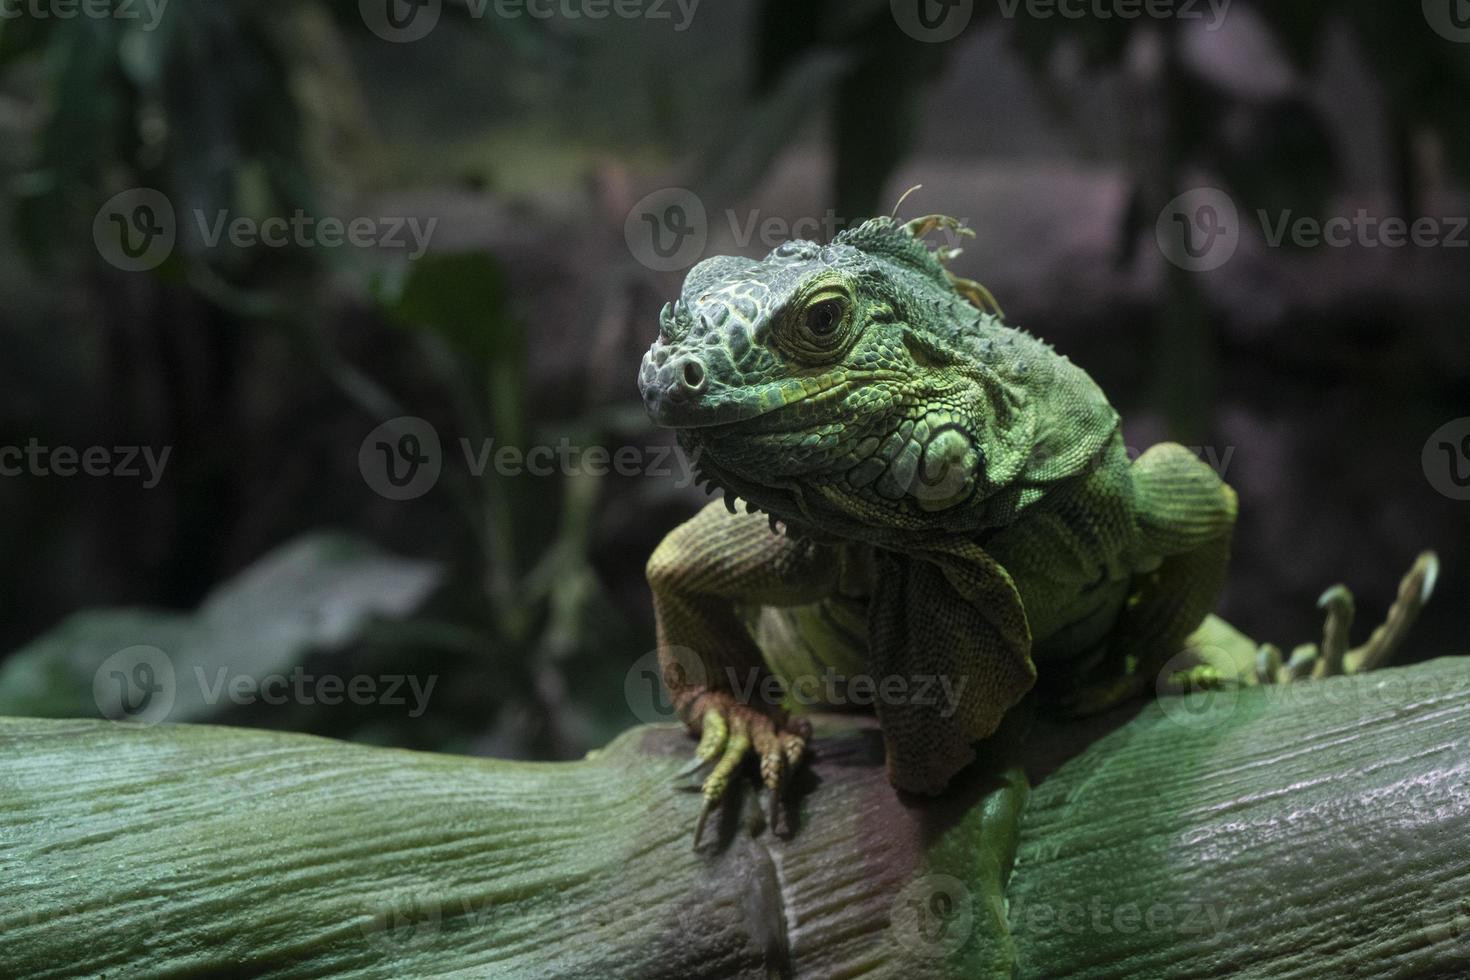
315, 593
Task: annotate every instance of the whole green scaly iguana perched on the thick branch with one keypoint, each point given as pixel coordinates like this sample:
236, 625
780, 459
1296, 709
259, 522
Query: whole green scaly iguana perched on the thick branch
946, 499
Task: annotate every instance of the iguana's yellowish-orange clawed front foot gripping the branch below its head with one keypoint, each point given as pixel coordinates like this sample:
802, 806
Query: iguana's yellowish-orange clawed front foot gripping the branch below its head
728, 732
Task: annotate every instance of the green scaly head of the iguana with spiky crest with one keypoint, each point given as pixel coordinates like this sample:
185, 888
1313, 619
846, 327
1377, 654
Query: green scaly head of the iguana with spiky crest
846, 387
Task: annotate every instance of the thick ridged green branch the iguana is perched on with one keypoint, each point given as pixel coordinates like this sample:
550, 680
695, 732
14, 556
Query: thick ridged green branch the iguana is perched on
1306, 831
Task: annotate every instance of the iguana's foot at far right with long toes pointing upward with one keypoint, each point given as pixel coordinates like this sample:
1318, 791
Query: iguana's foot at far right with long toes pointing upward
1334, 657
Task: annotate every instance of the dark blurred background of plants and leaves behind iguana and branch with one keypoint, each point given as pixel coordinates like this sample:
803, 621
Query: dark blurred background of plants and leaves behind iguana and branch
1315, 374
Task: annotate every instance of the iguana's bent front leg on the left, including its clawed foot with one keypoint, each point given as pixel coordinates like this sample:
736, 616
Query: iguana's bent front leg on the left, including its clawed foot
700, 575
